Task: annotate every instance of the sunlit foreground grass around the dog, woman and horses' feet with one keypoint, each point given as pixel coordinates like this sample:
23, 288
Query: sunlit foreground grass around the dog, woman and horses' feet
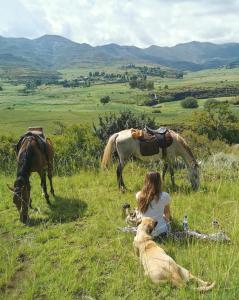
74, 250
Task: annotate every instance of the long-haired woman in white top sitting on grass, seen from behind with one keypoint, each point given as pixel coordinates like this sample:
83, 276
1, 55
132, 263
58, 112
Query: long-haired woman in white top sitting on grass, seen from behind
154, 203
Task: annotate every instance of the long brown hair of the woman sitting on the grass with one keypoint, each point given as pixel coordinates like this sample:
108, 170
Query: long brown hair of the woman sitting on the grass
152, 187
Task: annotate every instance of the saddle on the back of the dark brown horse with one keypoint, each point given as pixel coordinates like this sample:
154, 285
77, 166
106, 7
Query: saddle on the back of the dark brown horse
38, 135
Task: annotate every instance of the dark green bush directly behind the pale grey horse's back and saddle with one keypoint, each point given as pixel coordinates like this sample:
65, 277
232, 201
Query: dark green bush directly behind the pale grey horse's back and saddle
112, 123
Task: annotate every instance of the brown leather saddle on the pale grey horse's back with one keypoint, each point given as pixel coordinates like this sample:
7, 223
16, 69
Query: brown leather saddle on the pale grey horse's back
151, 141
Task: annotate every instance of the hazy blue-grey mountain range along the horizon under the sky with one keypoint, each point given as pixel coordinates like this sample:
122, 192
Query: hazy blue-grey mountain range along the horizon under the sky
51, 51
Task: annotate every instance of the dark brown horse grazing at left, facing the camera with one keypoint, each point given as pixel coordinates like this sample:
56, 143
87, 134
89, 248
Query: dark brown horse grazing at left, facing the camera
33, 155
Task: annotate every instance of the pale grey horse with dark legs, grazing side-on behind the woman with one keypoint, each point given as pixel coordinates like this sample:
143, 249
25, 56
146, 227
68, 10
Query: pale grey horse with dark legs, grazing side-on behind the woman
126, 146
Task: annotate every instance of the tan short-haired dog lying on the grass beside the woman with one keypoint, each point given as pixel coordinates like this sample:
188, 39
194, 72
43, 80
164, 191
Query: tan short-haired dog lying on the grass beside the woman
157, 264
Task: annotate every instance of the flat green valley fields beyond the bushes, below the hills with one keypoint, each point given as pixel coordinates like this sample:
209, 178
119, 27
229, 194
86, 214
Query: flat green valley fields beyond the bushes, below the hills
51, 104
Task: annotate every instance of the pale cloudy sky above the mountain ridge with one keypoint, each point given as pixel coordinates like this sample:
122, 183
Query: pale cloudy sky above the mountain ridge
126, 22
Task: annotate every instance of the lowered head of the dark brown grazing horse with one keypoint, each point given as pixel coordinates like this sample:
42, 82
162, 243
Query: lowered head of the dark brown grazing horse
21, 196
